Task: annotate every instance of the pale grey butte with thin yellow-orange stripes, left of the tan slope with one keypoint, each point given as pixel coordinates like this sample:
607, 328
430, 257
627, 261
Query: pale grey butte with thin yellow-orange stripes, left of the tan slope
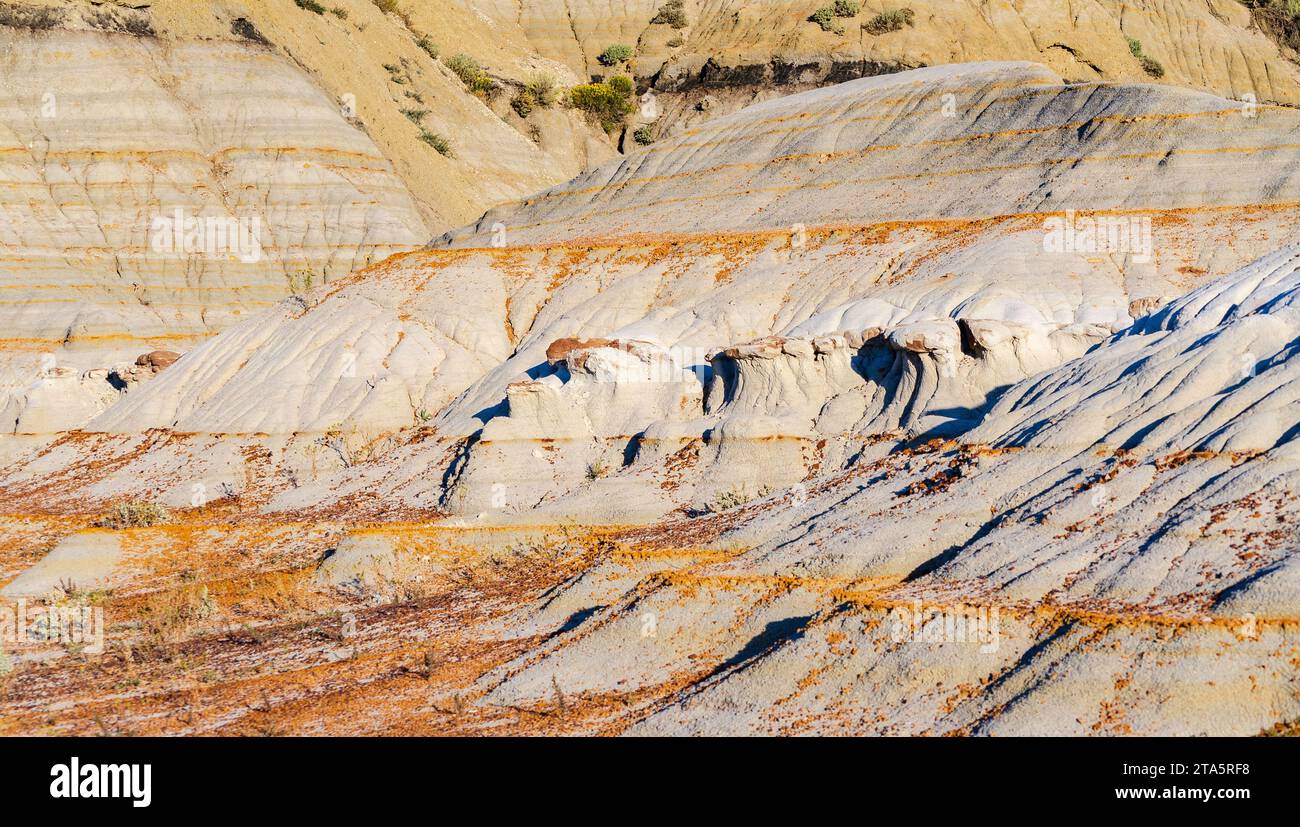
154, 194
